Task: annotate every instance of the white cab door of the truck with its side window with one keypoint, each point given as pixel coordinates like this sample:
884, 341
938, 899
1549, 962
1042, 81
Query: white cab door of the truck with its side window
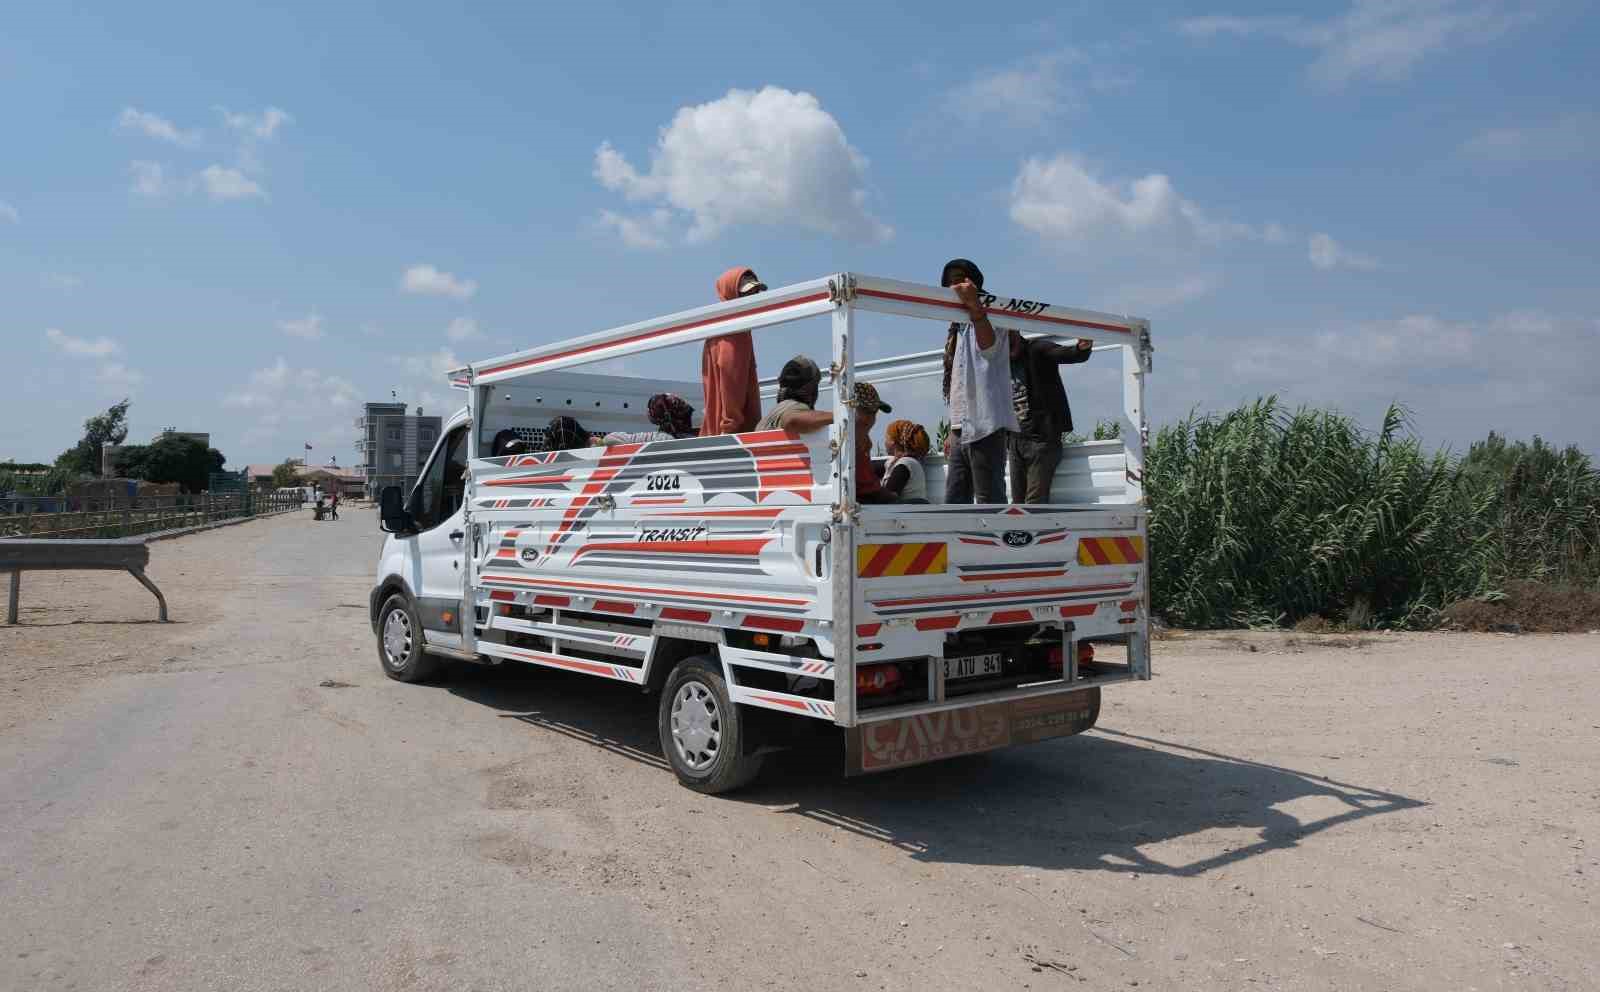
442, 543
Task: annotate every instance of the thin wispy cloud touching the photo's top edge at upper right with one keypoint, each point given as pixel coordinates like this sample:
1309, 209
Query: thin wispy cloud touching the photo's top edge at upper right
1374, 39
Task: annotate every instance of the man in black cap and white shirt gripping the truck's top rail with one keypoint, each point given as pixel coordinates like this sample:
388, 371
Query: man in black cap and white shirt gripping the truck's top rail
978, 391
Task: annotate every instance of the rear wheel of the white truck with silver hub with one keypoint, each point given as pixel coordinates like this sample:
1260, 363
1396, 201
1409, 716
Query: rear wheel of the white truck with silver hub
703, 734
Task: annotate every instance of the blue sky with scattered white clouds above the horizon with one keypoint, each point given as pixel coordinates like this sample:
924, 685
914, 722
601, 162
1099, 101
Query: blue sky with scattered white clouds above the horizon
254, 220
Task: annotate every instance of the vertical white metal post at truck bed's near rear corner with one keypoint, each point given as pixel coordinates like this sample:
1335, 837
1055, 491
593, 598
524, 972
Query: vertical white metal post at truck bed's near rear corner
844, 506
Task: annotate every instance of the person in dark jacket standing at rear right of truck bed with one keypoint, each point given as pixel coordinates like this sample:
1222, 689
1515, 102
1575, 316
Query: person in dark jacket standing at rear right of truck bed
1042, 414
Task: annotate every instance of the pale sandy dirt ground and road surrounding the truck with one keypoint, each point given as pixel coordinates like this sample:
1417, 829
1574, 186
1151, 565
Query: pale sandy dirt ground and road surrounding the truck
188, 807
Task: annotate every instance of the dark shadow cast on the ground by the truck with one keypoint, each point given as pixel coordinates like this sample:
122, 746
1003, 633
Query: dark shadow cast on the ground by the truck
1090, 802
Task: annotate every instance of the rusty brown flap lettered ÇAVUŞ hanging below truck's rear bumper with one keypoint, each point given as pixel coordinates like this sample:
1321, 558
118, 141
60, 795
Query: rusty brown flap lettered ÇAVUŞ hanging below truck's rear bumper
951, 734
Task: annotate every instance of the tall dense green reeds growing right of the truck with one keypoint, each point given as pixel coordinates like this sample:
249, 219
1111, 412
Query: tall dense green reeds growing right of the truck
1263, 518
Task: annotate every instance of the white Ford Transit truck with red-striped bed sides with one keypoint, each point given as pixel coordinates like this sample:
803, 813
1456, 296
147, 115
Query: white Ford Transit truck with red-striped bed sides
737, 577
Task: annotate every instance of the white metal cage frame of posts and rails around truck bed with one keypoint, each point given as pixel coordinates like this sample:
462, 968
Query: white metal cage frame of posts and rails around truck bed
842, 297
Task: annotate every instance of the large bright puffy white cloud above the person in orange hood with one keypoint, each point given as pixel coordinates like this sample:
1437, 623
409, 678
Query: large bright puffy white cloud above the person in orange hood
769, 158
